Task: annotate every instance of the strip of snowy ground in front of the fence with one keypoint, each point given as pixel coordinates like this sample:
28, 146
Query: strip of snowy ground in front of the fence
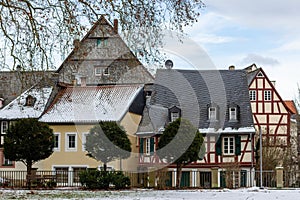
139, 194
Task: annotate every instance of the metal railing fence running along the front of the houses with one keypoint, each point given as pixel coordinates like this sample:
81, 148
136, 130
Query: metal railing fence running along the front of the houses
159, 179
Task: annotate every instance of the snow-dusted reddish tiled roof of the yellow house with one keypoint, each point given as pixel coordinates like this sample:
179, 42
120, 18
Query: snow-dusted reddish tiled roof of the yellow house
91, 104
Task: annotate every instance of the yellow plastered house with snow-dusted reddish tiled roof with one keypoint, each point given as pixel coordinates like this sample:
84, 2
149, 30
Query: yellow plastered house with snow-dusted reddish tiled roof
75, 110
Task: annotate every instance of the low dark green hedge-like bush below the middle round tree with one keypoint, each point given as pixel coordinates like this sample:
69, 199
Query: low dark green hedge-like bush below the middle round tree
95, 179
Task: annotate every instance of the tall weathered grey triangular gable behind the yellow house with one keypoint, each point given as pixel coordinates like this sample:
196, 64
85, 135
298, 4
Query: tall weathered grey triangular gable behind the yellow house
102, 57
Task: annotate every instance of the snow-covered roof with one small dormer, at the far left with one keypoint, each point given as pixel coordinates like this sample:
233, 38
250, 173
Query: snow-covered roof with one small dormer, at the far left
17, 109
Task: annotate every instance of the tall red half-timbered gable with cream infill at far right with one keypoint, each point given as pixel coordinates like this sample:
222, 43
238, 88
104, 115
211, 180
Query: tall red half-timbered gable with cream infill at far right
270, 112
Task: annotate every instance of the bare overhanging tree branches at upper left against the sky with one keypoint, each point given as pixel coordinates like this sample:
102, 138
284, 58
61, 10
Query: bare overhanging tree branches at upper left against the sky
36, 33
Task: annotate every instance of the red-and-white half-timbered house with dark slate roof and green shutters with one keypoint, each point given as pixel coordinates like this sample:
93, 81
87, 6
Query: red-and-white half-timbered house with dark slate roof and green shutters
215, 101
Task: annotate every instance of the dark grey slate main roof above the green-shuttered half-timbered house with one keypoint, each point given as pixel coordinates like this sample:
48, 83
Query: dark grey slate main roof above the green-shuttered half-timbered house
193, 91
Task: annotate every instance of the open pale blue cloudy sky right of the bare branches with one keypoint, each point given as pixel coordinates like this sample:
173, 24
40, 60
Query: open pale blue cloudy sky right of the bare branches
240, 33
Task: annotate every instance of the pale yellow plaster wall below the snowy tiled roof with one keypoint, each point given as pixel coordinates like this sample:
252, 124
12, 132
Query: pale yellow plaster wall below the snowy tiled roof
78, 158
